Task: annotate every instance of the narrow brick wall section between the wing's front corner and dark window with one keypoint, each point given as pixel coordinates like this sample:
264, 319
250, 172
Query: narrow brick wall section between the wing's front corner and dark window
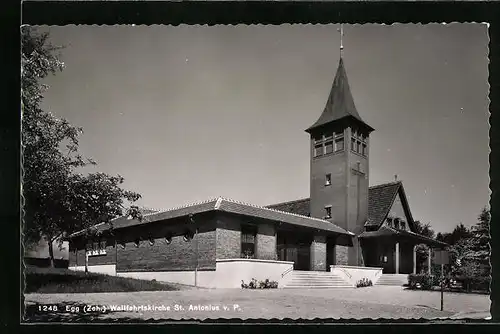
228, 237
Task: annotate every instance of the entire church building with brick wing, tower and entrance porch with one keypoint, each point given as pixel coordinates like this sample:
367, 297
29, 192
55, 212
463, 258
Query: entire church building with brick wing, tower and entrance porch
344, 223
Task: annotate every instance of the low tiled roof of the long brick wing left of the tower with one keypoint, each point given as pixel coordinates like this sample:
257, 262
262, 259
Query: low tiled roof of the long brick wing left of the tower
225, 205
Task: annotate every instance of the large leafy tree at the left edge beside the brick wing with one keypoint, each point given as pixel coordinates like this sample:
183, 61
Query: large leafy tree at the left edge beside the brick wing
57, 200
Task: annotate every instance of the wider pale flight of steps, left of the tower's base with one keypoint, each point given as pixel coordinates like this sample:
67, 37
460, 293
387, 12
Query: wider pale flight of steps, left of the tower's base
315, 280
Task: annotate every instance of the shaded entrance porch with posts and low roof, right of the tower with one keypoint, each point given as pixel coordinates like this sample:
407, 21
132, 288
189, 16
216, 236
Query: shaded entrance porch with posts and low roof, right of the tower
395, 250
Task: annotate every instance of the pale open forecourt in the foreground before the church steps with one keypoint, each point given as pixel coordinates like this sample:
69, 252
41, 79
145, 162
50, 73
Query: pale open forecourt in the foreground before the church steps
372, 302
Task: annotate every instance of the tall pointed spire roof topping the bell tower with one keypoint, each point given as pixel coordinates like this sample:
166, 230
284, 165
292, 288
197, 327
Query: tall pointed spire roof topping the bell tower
340, 102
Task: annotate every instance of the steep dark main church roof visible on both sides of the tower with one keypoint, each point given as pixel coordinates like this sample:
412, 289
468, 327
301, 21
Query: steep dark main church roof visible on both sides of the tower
380, 199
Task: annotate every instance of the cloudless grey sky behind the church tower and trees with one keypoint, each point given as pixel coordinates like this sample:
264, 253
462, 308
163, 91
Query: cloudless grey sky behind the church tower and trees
189, 113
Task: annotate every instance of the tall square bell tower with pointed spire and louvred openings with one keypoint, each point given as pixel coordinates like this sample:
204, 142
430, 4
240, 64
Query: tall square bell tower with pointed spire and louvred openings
340, 166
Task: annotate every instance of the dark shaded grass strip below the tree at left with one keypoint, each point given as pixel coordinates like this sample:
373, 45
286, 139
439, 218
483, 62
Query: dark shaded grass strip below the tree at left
55, 280
